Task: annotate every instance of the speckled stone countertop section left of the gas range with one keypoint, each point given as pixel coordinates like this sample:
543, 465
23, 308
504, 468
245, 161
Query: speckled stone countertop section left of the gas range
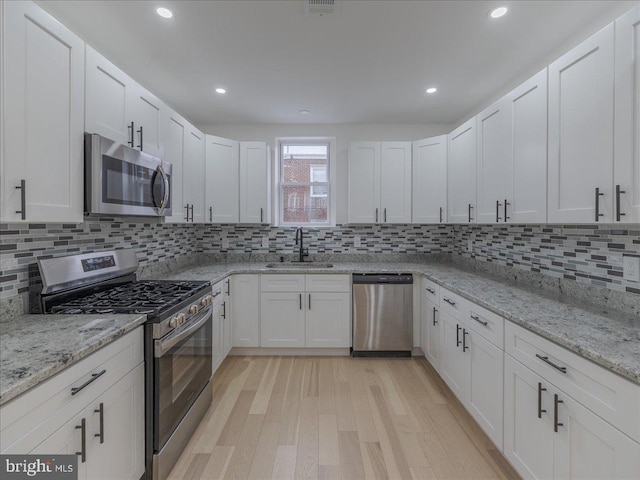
36, 347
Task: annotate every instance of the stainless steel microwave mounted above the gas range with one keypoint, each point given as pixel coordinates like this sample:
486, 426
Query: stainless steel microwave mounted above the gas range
120, 180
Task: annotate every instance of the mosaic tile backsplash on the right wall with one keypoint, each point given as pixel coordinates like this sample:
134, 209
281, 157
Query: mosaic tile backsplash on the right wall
588, 254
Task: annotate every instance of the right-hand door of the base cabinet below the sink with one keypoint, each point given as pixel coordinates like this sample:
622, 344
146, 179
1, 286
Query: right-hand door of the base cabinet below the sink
328, 318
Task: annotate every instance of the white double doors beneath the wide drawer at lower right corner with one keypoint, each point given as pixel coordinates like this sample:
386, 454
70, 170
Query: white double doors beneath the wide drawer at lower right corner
550, 435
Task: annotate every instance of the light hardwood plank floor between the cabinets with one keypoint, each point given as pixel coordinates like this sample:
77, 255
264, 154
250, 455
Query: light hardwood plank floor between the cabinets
336, 418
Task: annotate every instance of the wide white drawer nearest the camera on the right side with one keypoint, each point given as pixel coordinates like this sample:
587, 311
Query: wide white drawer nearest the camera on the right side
608, 395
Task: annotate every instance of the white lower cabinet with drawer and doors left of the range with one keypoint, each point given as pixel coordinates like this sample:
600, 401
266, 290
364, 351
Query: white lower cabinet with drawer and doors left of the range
103, 423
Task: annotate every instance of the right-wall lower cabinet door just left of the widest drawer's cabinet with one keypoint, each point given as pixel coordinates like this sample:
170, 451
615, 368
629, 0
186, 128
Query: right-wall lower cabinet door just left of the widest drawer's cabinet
486, 385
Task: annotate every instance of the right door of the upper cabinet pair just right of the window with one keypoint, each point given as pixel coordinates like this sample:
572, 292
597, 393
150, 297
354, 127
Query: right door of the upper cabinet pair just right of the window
395, 182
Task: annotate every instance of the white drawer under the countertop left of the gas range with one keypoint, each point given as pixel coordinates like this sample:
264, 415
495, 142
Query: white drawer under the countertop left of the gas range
50, 405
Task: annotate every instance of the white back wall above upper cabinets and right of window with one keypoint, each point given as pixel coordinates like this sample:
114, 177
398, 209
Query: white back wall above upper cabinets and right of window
344, 134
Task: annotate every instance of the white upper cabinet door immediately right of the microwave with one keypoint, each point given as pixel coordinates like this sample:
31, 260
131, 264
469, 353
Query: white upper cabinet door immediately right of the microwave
174, 139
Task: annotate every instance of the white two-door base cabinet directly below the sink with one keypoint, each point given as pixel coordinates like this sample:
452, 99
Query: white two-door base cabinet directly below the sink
312, 311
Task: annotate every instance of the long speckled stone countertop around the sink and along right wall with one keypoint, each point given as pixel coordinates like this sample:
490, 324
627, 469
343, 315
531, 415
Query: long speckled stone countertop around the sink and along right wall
606, 336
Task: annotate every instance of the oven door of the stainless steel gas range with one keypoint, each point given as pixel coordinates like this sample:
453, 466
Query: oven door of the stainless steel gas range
182, 368
